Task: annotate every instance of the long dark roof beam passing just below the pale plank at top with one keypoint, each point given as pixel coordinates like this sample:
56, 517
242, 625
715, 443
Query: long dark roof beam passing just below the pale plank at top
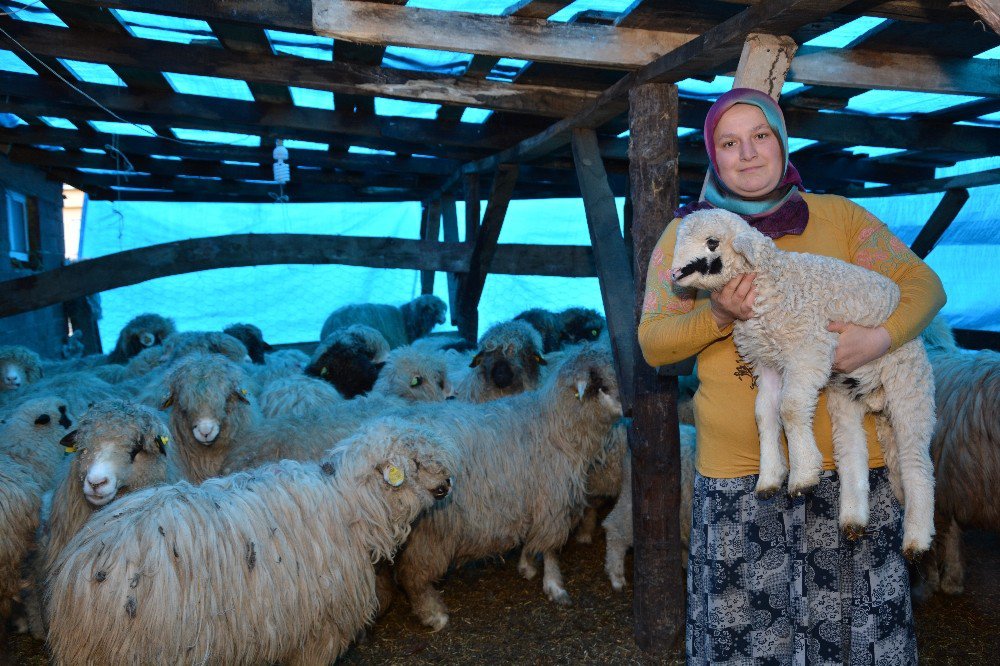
262, 68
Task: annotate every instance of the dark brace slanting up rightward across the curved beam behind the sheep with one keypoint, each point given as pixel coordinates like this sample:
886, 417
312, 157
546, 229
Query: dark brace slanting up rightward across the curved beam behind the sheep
470, 286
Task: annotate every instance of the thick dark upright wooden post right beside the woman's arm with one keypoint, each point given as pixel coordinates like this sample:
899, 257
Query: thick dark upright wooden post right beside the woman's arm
658, 602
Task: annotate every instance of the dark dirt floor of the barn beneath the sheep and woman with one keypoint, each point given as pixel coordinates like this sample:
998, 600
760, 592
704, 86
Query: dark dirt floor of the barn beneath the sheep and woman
497, 617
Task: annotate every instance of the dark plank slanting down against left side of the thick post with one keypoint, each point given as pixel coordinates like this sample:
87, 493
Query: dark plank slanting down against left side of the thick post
609, 253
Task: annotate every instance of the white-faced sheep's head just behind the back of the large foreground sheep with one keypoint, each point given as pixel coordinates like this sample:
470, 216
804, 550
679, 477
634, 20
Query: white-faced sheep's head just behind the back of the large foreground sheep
120, 447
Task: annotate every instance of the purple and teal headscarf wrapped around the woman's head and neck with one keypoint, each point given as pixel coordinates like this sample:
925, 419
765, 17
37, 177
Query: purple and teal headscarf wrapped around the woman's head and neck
792, 213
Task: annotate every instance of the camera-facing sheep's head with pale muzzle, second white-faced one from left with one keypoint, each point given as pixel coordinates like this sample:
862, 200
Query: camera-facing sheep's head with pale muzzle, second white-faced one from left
212, 412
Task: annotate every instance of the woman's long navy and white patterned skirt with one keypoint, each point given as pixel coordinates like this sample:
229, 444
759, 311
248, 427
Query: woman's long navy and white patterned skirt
774, 582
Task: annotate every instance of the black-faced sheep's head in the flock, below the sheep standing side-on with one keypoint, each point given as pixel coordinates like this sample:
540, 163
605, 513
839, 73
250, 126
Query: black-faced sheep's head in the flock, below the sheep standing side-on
350, 358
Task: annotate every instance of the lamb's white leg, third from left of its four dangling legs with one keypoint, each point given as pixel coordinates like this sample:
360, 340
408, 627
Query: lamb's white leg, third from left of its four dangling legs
850, 451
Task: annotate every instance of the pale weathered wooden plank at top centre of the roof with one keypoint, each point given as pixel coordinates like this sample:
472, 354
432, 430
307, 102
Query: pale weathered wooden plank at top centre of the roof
505, 36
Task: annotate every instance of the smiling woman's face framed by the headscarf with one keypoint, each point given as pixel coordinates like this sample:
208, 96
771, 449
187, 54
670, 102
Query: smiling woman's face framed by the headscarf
747, 152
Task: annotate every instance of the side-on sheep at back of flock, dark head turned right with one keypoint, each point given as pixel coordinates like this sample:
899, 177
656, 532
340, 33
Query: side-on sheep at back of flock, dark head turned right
400, 325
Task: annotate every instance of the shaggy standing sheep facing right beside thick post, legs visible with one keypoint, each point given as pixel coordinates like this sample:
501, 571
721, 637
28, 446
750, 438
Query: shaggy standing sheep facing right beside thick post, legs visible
523, 461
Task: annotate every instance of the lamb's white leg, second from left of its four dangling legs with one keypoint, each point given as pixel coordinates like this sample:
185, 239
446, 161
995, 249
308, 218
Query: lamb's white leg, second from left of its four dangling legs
801, 384
